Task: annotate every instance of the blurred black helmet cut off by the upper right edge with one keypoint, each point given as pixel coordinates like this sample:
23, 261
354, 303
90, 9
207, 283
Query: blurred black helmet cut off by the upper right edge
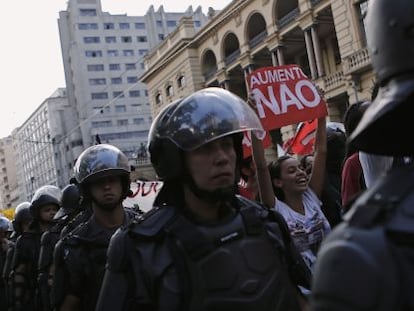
390, 36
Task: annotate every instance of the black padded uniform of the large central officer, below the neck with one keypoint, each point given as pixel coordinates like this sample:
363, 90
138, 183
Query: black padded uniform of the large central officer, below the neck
168, 261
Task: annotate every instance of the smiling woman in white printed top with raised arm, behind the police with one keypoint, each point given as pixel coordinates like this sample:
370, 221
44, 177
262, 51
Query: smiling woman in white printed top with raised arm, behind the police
297, 197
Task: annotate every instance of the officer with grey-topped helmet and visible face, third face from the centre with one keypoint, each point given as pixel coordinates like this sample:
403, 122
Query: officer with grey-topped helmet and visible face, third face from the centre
43, 207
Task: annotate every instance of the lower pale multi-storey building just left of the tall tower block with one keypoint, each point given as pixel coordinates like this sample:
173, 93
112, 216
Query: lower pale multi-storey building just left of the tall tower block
46, 147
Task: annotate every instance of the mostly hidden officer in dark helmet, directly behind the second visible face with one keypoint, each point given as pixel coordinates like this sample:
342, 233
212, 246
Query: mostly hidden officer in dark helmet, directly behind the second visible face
70, 207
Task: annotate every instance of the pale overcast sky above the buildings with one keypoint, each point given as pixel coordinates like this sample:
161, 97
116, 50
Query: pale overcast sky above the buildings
31, 66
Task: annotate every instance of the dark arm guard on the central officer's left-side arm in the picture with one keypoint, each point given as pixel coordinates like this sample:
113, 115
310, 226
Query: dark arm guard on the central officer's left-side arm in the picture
115, 287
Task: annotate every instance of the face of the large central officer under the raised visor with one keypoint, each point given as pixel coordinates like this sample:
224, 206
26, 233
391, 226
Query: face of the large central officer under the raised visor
213, 165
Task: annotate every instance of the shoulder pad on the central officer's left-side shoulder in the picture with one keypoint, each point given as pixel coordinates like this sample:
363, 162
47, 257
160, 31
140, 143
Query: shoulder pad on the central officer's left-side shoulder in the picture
151, 223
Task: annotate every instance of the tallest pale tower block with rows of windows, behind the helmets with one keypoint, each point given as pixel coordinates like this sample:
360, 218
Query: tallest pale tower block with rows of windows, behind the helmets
103, 55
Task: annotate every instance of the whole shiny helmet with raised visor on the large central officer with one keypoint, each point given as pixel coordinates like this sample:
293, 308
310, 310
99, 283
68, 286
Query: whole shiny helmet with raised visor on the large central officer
200, 118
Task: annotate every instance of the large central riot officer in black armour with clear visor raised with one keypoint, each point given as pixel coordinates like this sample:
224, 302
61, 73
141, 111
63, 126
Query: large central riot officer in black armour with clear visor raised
202, 247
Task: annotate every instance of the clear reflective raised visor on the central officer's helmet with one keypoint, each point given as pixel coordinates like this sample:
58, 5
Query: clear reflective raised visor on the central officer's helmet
207, 115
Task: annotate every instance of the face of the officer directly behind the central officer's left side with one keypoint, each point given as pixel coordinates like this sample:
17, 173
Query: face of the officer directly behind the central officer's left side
107, 191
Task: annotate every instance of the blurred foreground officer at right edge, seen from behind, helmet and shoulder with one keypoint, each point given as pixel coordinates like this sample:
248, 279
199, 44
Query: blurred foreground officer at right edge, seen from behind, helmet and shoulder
367, 262
